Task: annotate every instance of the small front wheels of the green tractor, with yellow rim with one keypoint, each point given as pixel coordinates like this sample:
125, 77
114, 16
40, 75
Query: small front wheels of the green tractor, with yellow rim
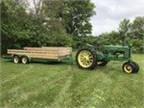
130, 67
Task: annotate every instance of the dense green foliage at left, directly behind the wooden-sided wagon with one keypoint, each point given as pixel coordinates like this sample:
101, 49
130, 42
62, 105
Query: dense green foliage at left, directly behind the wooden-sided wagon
20, 28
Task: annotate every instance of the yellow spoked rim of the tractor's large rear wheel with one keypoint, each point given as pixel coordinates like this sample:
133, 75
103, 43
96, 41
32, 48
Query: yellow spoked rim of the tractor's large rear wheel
85, 58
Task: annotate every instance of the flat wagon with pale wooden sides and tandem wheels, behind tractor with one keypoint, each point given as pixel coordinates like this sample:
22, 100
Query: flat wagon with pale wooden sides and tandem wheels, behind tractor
26, 54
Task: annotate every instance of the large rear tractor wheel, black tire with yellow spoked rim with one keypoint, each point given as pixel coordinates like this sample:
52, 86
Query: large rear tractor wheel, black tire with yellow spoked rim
86, 59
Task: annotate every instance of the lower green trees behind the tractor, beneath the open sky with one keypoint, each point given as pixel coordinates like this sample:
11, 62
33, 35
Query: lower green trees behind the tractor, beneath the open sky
128, 33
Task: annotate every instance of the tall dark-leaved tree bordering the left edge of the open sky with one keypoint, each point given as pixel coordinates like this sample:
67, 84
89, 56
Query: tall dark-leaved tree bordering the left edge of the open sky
76, 16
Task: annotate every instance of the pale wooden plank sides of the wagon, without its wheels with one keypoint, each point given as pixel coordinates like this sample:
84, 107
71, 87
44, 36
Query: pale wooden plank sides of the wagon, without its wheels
42, 52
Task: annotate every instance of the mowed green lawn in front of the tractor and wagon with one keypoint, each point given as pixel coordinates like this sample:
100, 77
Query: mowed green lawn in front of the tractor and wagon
59, 85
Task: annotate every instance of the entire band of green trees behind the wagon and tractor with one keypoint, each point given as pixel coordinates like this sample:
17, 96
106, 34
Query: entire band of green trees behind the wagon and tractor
60, 23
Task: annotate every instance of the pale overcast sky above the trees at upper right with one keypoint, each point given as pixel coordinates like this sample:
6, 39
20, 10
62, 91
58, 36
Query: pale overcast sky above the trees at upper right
109, 13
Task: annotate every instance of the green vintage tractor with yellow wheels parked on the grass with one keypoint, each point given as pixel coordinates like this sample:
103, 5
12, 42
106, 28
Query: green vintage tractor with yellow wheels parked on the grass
89, 57
